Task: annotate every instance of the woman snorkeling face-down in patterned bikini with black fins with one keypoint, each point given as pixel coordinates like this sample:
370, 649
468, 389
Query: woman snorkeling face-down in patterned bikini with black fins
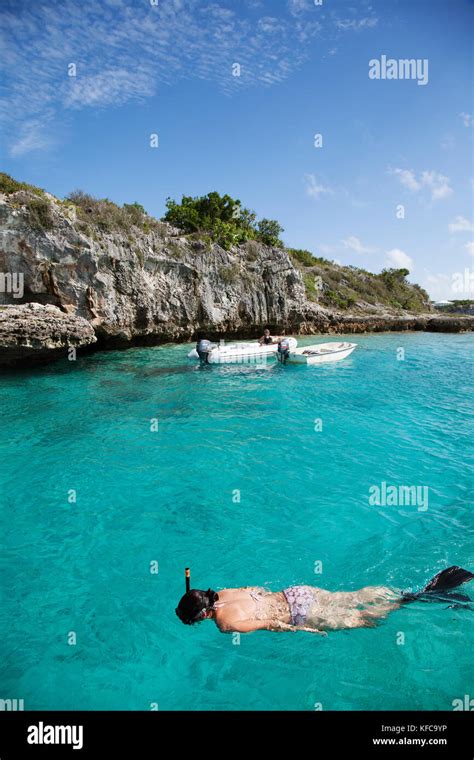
307, 608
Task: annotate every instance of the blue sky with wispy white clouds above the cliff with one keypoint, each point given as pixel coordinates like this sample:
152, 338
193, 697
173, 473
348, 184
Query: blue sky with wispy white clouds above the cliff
165, 67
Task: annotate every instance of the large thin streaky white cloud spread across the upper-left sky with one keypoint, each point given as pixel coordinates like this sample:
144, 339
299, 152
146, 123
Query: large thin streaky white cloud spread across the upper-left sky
125, 54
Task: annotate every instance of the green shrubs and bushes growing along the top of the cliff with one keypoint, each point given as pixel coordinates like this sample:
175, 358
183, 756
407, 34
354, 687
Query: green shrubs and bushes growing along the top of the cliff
213, 218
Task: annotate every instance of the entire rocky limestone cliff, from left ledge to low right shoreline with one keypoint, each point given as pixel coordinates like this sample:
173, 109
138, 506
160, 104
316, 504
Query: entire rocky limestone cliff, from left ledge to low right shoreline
160, 285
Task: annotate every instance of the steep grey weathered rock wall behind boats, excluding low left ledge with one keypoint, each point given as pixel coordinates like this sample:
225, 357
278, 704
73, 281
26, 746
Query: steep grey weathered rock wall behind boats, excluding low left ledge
152, 287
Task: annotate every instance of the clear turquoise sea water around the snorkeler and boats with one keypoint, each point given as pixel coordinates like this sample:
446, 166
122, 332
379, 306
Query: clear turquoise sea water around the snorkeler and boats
170, 497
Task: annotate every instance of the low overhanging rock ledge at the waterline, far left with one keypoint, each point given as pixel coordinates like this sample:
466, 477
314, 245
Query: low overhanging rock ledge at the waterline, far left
32, 333
